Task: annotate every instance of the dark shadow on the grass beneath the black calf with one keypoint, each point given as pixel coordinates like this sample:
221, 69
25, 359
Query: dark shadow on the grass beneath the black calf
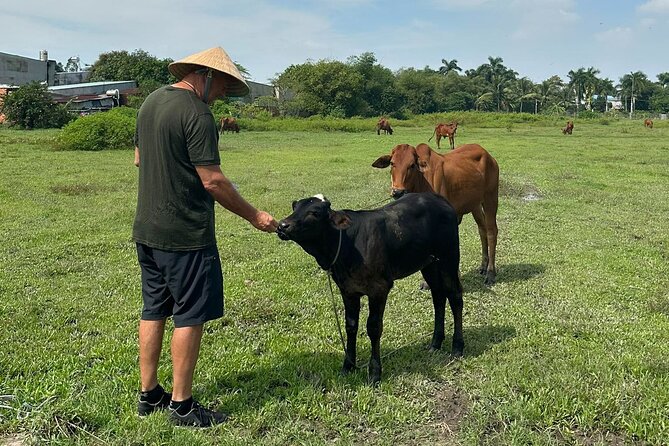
295, 375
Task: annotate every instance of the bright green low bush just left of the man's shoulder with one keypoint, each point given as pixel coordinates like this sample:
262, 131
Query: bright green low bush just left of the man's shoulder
100, 131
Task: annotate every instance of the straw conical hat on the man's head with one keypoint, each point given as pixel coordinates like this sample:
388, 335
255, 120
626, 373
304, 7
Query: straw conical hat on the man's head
216, 59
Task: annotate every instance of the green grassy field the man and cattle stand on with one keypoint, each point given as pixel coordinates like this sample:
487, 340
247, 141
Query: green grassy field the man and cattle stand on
571, 346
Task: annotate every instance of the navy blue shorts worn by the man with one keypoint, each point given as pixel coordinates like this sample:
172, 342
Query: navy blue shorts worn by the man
187, 285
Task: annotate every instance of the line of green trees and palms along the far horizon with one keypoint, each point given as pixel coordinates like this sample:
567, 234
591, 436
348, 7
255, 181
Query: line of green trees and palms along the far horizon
360, 86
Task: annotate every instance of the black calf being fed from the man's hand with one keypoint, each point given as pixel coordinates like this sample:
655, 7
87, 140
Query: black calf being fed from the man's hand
366, 251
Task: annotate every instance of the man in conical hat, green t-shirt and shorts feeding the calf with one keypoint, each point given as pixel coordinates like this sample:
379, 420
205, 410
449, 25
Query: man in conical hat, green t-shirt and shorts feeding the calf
176, 151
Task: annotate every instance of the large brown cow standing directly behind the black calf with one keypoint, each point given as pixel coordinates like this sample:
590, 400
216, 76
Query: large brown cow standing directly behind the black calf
467, 176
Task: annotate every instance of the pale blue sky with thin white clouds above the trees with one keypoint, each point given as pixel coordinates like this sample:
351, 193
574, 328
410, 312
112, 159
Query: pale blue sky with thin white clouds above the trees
537, 38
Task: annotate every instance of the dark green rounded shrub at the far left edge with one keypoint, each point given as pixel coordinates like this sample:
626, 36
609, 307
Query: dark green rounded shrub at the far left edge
31, 107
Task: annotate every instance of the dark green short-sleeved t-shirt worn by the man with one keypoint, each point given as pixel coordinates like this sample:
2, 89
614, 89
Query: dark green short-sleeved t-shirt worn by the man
175, 132
